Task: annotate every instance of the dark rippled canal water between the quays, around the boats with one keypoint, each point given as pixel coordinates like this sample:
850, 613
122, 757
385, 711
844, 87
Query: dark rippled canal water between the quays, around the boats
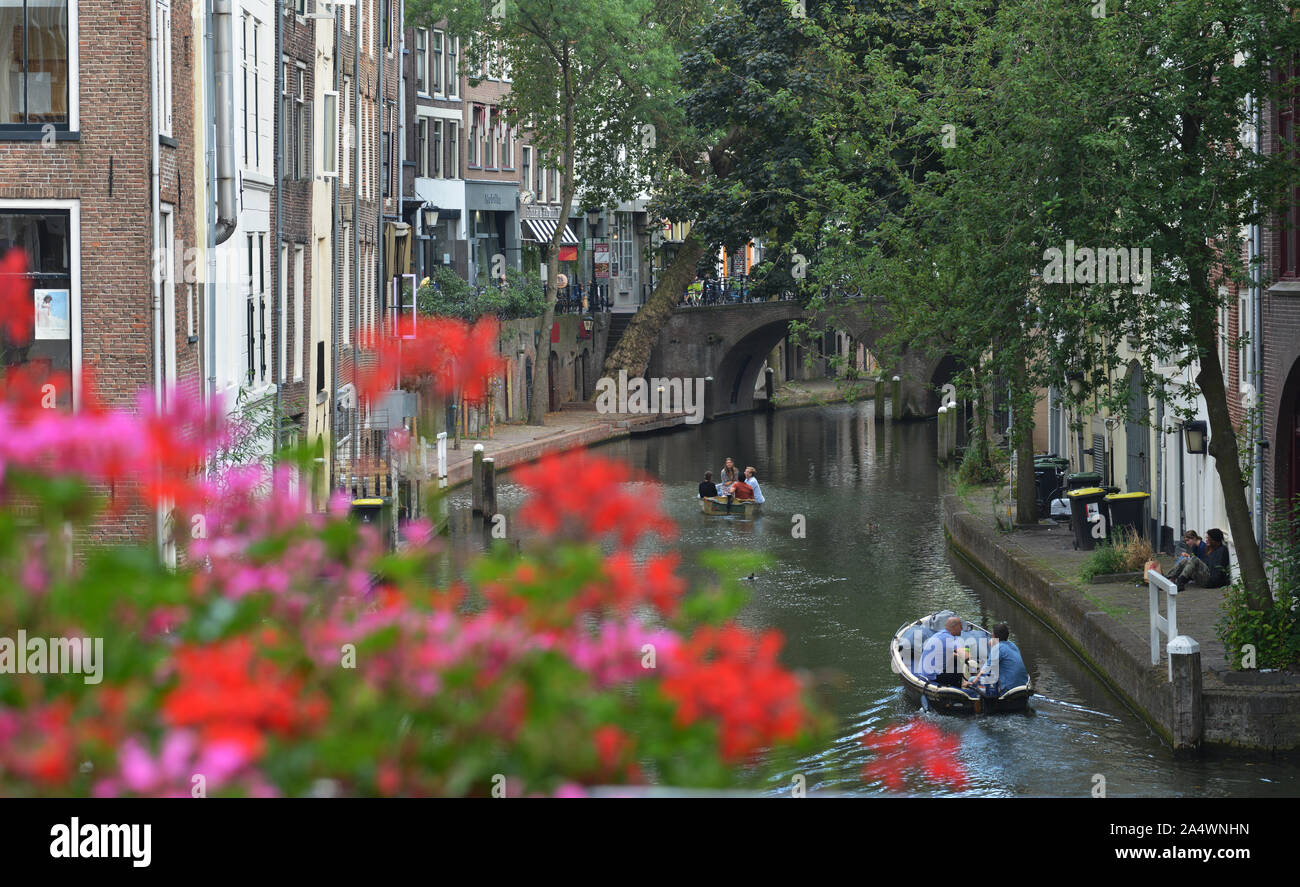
874, 557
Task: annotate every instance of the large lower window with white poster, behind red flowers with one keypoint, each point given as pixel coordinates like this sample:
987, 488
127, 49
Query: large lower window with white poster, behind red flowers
46, 236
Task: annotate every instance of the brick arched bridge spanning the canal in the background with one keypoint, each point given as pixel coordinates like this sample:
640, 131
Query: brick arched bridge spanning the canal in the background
731, 343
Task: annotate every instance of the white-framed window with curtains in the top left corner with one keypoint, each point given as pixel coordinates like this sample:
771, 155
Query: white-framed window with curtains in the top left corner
36, 46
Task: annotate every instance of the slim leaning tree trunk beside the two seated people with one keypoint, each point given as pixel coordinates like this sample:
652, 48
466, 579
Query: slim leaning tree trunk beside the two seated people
1229, 465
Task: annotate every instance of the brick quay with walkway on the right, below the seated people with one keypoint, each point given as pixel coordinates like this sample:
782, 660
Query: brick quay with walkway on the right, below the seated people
1107, 625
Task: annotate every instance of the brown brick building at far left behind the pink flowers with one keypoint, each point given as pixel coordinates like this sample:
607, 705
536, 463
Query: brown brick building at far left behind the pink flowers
97, 153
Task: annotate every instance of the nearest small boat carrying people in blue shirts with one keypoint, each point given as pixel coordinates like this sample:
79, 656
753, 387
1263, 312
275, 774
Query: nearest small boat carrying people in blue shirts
955, 667
